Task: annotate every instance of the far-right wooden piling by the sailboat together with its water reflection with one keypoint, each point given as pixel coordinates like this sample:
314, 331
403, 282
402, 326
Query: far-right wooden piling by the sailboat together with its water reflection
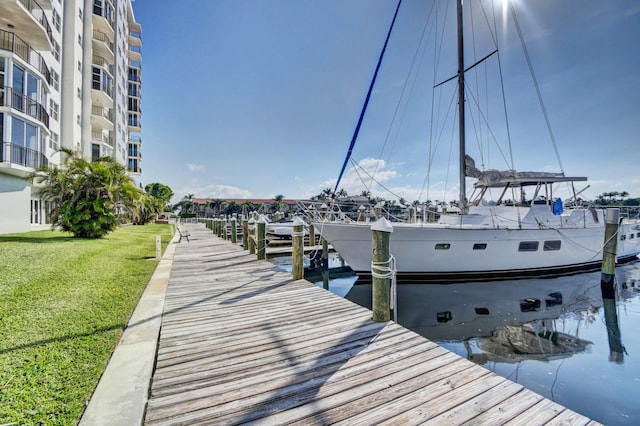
607, 285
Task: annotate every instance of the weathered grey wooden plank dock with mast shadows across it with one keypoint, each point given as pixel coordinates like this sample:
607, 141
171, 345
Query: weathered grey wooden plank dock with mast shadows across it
242, 342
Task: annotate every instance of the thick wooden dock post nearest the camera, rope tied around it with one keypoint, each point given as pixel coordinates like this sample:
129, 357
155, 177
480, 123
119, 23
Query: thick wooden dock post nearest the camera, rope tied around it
381, 295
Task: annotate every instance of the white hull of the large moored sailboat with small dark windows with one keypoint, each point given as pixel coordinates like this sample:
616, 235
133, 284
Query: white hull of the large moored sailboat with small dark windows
441, 251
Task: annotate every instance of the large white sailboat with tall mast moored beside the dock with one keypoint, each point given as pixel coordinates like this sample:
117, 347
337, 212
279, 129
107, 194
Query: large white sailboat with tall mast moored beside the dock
489, 241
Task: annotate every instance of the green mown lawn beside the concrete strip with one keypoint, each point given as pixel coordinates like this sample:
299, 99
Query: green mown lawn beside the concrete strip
63, 305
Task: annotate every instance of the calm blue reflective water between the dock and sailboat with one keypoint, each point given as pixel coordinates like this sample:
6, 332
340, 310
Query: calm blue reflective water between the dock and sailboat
558, 337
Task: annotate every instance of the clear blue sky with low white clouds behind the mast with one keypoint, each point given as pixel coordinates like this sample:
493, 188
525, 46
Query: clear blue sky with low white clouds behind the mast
253, 98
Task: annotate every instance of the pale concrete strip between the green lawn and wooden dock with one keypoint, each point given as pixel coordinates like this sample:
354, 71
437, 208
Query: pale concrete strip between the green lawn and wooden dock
121, 395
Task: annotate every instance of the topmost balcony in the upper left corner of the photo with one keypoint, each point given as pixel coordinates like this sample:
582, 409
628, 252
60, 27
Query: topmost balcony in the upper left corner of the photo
27, 19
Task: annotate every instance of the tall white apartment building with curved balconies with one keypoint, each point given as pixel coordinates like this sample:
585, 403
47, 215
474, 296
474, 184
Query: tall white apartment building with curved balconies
70, 76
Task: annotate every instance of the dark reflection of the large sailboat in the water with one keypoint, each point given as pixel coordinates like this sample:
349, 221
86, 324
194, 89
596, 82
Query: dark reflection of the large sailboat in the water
511, 321
